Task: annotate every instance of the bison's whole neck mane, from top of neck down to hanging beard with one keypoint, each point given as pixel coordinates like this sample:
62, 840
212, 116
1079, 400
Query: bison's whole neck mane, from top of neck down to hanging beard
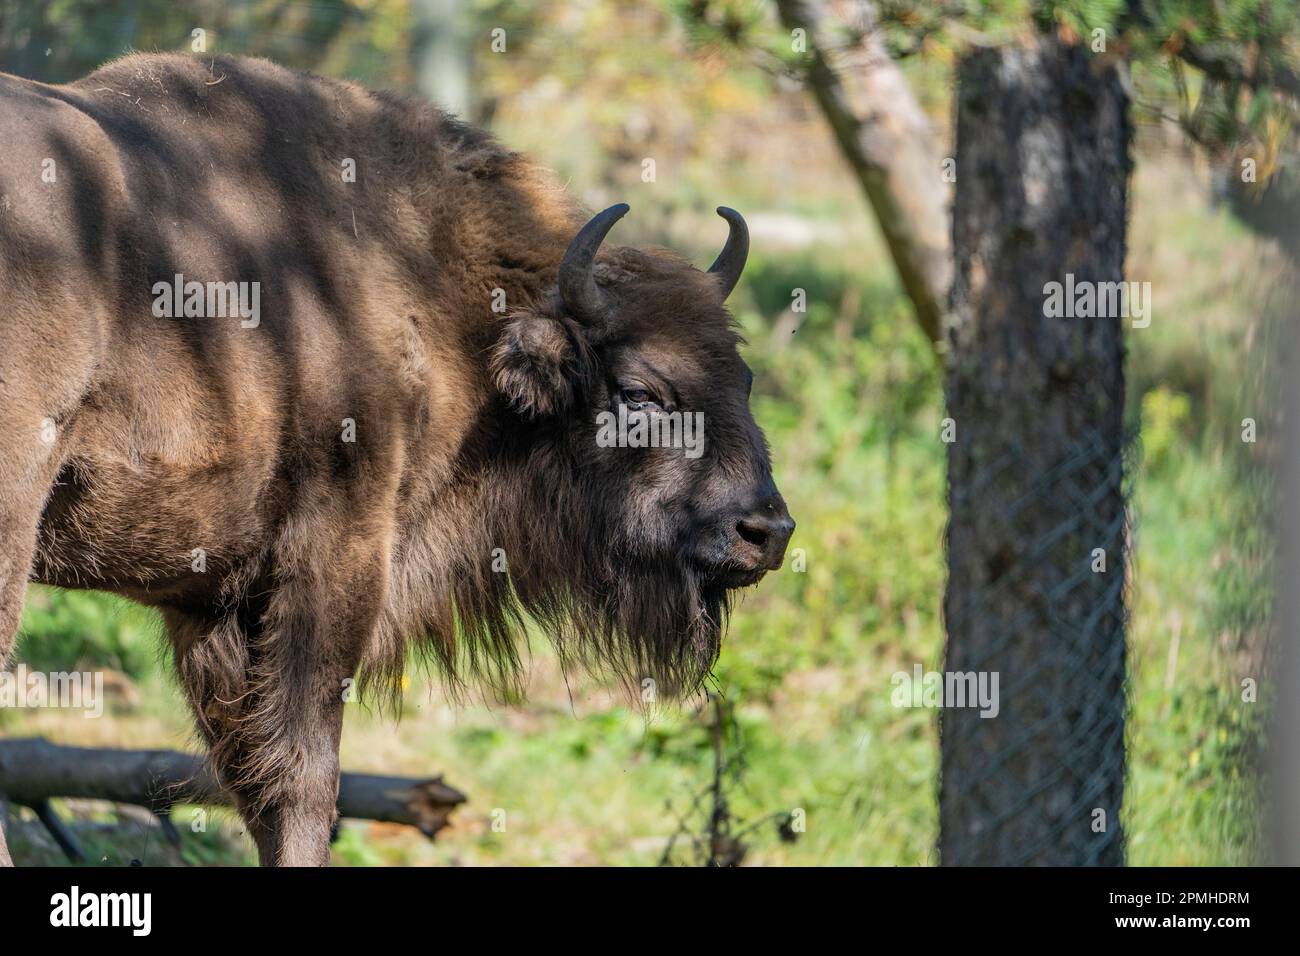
497, 534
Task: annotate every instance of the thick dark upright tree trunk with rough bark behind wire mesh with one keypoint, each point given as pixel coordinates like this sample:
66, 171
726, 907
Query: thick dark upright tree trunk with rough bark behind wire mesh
1035, 471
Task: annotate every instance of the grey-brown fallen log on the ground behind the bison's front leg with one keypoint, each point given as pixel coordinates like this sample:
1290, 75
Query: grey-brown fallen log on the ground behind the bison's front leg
33, 771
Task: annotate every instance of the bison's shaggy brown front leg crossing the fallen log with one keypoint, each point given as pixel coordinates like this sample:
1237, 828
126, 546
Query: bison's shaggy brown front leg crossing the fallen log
268, 689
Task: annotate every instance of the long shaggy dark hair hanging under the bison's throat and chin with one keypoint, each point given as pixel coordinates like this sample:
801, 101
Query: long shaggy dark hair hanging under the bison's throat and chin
521, 540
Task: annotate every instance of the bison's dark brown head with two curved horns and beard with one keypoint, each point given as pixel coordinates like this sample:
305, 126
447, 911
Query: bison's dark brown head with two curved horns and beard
631, 388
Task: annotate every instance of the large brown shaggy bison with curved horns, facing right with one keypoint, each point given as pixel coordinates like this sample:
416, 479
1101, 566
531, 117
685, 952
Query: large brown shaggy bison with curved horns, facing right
317, 371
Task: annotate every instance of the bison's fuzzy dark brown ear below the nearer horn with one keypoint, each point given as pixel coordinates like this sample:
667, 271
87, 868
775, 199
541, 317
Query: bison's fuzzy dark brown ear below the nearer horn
536, 365
